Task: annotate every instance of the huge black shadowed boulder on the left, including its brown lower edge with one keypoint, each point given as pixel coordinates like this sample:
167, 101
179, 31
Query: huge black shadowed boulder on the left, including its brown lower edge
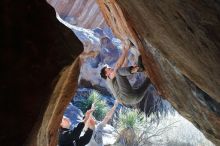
35, 48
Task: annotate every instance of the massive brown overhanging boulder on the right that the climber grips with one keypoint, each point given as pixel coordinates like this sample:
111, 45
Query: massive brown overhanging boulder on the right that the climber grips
180, 43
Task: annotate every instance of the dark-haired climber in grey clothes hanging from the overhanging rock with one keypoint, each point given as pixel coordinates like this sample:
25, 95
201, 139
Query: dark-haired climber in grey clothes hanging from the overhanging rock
116, 79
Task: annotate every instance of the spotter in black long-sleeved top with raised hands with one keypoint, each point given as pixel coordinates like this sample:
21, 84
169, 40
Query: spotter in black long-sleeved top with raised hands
68, 137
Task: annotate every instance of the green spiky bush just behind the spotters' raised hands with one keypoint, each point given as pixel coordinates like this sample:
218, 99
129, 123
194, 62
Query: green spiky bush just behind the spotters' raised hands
101, 106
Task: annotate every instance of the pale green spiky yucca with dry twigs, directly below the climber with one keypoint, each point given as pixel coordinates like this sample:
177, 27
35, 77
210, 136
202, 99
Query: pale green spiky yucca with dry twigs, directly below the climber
135, 129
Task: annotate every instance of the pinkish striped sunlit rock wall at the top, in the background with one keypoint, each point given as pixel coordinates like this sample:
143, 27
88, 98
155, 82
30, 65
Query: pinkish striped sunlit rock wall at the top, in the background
81, 13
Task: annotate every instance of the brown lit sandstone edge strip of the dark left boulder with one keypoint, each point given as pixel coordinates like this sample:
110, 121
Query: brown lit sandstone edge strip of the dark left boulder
60, 98
